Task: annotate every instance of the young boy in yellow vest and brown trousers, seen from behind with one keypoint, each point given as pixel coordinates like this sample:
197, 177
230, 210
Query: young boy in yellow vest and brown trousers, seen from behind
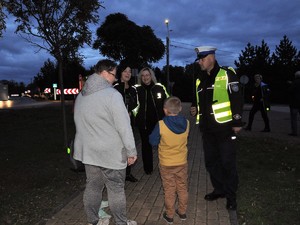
171, 134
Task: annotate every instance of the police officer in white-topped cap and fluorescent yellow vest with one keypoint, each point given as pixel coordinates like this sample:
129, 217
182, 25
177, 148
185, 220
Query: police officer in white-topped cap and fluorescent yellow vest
218, 107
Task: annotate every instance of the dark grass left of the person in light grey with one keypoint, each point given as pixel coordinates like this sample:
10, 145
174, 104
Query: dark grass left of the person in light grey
35, 174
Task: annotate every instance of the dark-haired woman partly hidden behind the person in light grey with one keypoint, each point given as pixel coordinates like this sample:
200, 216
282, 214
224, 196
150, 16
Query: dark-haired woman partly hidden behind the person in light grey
129, 95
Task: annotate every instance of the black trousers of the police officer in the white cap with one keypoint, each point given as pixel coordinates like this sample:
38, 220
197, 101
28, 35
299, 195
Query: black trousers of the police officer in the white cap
220, 160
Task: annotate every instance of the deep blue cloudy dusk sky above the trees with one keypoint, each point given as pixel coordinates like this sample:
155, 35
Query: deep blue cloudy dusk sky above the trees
228, 25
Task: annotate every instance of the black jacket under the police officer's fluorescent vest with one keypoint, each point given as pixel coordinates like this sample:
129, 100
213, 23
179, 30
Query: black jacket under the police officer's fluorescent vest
205, 91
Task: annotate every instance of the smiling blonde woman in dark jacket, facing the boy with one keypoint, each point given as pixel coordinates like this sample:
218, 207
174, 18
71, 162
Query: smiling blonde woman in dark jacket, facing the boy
151, 97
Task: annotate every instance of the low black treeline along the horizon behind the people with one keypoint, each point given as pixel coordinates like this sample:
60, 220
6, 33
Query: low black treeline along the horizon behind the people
277, 69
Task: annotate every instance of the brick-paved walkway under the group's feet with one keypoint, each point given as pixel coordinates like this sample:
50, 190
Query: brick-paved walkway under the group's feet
145, 202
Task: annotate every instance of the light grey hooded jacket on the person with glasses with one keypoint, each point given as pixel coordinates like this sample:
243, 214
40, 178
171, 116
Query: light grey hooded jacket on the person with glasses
103, 132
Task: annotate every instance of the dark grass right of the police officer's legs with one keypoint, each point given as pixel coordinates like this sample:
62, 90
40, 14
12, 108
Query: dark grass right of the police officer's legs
269, 192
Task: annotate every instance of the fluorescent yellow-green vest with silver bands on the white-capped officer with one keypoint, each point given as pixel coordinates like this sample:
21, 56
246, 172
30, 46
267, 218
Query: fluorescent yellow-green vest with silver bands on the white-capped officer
221, 106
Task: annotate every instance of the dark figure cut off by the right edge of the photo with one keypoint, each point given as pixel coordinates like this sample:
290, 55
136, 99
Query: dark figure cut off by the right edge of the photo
294, 103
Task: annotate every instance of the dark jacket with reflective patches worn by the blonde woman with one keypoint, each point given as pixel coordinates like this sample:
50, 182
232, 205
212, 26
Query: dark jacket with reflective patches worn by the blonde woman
150, 105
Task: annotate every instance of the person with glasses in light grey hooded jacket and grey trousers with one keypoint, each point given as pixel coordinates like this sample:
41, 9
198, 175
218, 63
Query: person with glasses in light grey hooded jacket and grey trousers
104, 143
